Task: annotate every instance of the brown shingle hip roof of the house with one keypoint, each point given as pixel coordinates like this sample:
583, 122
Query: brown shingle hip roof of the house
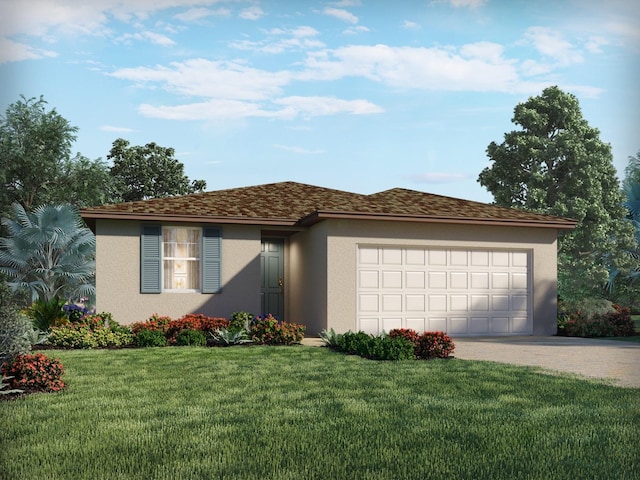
291, 204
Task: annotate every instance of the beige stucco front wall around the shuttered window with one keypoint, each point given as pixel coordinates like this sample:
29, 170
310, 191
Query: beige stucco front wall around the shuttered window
118, 276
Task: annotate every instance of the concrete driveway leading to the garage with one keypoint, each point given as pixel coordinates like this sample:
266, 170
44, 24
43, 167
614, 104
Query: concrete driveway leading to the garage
614, 361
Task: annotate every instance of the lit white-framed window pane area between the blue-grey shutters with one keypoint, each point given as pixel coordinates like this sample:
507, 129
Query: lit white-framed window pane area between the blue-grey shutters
181, 258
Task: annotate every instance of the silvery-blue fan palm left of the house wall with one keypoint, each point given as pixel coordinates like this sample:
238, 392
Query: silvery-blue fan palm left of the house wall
49, 253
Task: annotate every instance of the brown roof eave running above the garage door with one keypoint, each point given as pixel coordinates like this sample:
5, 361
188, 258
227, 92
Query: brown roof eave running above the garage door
318, 216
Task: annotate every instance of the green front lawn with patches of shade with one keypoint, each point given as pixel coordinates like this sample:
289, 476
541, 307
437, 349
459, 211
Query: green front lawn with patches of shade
310, 413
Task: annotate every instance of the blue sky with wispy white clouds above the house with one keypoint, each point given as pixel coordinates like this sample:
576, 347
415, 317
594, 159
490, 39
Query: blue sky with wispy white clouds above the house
354, 94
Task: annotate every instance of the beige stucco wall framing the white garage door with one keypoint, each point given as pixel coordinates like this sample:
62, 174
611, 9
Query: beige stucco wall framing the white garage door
344, 236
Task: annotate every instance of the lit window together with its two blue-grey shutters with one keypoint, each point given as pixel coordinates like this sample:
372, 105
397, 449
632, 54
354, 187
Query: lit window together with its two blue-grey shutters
175, 259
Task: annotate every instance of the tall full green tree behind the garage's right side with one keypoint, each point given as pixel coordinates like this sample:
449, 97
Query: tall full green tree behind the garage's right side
557, 164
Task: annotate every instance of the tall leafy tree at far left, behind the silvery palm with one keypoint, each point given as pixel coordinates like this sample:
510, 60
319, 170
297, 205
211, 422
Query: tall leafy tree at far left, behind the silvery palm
36, 166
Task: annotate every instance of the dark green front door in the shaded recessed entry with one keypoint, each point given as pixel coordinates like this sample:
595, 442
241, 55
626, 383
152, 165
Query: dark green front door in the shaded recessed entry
272, 271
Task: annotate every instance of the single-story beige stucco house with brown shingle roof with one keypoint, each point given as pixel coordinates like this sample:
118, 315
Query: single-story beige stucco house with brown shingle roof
330, 259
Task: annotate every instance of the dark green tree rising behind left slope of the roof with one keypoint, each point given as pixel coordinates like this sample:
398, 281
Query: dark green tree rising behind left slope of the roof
150, 171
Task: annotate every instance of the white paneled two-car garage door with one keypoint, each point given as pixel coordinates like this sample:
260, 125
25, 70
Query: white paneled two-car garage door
461, 292
